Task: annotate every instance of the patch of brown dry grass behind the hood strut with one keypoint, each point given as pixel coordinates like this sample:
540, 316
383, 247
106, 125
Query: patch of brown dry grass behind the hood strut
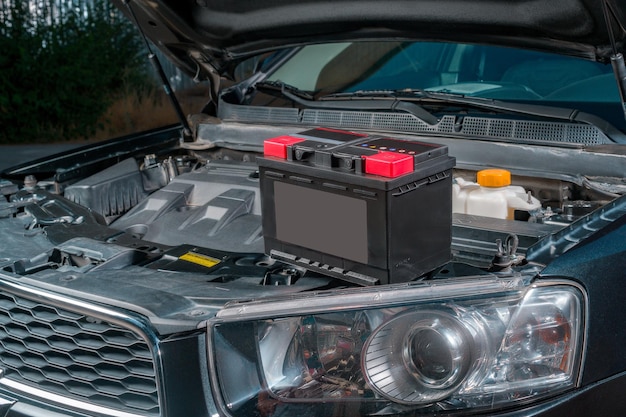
136, 112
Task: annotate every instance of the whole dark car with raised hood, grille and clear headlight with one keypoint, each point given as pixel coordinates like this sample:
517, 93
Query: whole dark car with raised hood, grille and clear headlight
135, 274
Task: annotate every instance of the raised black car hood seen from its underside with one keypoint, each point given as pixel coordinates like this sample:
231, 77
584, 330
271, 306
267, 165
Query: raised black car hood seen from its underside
207, 37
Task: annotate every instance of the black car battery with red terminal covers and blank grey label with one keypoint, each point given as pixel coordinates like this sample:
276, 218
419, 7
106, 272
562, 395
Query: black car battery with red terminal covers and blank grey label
367, 209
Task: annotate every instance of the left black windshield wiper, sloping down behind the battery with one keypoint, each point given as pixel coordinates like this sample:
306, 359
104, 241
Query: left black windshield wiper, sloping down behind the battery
372, 103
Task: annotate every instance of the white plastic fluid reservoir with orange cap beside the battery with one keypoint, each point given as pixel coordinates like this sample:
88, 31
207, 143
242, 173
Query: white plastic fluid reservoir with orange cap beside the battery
492, 195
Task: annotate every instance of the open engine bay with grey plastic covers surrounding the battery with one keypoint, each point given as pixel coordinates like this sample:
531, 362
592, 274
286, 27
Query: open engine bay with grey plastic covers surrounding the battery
188, 223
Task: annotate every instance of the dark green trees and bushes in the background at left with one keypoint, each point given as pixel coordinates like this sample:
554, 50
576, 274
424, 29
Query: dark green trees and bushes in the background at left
62, 64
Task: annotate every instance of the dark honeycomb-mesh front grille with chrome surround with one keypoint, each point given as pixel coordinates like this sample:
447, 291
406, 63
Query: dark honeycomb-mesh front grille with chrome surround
76, 356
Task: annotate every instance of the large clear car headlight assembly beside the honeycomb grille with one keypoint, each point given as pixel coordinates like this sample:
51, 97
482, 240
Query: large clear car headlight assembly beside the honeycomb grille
481, 344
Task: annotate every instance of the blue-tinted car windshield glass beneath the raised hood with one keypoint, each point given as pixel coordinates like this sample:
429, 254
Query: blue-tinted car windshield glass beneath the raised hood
470, 70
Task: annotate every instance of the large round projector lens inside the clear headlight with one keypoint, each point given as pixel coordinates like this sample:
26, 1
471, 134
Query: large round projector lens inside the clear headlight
422, 363
